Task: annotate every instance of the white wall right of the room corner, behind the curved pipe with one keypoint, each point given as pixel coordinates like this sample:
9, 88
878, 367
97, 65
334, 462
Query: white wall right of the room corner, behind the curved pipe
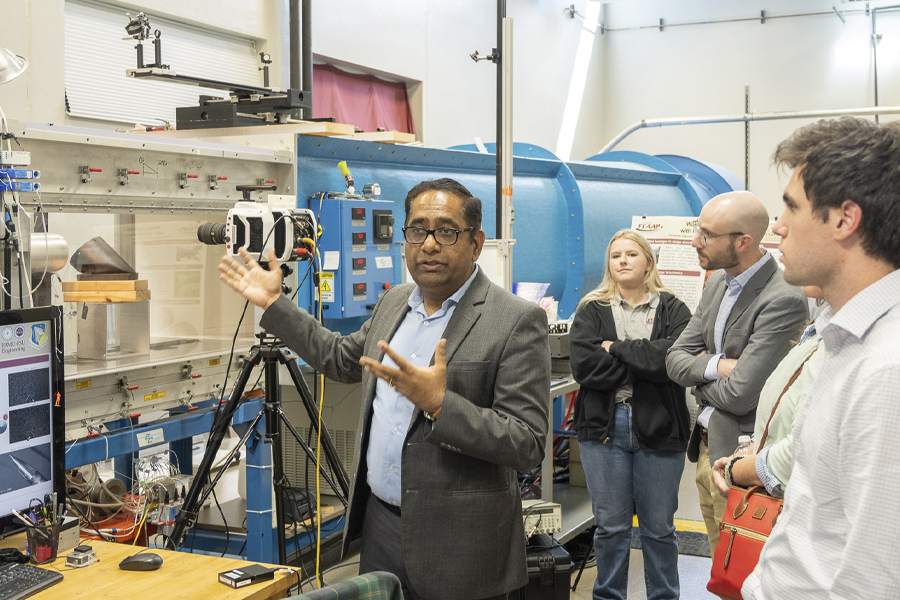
799, 63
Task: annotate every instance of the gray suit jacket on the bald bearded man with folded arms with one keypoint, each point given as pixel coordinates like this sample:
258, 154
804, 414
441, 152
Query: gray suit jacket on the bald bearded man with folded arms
768, 314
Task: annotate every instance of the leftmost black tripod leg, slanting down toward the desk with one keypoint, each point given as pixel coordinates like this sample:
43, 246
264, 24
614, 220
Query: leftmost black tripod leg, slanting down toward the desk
187, 516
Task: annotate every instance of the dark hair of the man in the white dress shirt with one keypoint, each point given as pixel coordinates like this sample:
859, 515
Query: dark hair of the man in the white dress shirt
852, 159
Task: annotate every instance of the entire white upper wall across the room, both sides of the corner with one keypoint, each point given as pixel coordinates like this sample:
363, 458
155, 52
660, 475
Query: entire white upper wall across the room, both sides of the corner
800, 63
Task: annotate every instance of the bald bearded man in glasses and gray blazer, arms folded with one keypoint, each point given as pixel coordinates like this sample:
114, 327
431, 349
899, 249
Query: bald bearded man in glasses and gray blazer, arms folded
741, 330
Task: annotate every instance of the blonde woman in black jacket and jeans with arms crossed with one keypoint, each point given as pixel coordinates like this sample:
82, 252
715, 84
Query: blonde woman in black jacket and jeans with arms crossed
632, 420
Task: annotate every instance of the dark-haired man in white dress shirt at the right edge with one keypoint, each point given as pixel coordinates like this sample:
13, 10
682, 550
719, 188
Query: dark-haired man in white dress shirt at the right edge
841, 231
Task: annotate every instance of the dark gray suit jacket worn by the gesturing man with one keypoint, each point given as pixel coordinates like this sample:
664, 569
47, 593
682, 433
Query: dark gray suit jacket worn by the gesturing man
462, 529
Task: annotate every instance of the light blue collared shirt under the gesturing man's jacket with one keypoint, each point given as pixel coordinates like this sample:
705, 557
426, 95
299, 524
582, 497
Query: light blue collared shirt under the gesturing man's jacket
415, 341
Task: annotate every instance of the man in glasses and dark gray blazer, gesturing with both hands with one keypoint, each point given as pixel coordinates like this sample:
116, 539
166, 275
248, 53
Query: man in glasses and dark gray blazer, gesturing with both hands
455, 376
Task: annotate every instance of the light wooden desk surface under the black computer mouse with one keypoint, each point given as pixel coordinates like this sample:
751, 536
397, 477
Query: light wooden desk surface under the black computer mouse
182, 576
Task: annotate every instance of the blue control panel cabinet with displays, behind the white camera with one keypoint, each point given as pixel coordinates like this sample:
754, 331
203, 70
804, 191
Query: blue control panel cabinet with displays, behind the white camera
357, 255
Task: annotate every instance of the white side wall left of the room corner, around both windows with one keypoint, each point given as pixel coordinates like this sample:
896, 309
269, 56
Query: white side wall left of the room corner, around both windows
421, 40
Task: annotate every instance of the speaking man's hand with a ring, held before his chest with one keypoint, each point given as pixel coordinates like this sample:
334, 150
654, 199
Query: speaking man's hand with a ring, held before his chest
424, 386
